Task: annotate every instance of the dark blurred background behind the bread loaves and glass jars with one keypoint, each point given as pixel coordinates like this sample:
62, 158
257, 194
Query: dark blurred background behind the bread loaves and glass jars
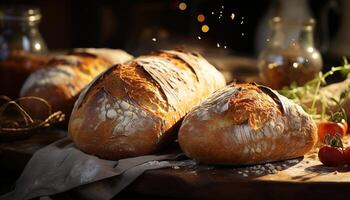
219, 29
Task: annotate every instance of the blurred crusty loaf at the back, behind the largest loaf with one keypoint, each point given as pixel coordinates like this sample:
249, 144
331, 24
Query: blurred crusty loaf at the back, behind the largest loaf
61, 82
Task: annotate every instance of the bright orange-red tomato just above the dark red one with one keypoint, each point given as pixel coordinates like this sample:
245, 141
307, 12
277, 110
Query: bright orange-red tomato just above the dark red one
331, 128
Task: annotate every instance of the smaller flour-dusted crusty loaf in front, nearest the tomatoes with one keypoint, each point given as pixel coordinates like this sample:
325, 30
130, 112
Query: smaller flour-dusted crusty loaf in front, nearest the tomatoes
246, 124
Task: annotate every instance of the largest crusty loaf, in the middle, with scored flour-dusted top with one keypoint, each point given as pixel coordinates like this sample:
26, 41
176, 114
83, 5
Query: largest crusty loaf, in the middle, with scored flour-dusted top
133, 108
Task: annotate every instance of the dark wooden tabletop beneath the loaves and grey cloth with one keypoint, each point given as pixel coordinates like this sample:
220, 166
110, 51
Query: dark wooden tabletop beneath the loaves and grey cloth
301, 178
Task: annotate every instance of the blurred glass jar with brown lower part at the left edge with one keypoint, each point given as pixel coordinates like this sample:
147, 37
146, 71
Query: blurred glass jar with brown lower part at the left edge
22, 48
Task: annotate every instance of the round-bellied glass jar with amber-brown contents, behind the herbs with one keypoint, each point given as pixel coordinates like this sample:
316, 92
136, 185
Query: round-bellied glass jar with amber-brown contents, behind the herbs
290, 55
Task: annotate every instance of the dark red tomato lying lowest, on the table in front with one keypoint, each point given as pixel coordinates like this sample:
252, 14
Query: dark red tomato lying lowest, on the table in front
331, 156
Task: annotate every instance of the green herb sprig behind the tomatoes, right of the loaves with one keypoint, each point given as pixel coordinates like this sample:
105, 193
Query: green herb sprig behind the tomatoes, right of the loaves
310, 92
